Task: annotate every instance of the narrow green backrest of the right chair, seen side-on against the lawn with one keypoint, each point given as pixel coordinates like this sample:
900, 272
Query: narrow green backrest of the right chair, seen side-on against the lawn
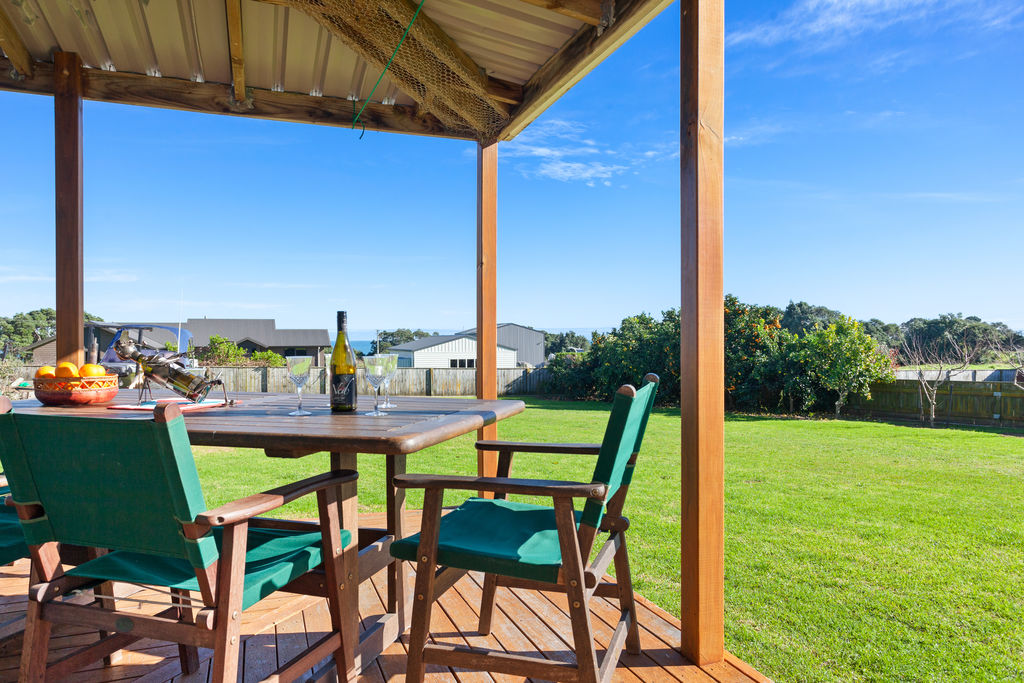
623, 438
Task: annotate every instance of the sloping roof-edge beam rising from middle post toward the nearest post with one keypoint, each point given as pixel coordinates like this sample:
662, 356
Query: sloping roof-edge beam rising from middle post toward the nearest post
577, 58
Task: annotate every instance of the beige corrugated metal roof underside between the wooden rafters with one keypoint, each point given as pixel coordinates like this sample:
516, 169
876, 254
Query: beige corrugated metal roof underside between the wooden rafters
285, 50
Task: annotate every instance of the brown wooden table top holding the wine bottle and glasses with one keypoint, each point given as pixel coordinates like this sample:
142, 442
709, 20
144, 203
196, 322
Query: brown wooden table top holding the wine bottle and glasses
262, 421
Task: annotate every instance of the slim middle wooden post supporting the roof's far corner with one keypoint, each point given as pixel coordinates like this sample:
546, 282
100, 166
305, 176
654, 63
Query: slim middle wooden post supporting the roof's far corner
487, 297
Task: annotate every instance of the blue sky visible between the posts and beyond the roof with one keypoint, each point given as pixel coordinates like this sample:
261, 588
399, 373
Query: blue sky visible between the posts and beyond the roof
875, 164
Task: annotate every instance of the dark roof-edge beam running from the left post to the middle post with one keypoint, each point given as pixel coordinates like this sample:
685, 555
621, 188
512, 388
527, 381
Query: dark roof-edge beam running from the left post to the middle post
176, 94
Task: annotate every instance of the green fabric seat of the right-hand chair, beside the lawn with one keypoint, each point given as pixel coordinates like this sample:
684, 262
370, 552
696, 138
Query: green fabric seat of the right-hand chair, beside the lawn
496, 537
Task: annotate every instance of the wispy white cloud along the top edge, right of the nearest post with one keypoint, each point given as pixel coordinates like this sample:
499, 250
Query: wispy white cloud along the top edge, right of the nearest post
829, 23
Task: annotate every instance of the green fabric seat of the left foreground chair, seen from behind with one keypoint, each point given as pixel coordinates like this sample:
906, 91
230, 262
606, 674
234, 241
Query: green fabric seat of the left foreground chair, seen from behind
274, 559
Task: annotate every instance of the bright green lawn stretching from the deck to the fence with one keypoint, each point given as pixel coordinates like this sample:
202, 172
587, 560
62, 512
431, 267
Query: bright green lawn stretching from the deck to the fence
855, 550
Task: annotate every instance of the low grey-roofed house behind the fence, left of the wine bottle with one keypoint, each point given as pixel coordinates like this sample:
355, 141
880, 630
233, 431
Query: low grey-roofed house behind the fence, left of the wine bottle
250, 334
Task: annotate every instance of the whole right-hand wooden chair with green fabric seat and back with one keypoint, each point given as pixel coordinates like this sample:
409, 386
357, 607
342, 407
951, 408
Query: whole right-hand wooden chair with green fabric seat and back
533, 546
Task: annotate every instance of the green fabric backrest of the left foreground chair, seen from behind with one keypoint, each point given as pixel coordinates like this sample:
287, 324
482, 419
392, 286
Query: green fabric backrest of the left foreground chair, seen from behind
122, 485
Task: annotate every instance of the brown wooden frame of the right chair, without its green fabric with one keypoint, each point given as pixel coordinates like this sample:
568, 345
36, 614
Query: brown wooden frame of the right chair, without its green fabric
579, 579
